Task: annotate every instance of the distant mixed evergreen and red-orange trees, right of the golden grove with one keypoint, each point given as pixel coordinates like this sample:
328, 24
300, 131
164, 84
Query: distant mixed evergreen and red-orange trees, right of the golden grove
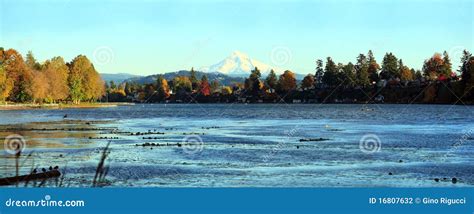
391, 78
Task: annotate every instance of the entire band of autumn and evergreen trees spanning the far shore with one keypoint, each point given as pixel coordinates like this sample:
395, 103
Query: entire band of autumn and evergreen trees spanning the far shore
53, 81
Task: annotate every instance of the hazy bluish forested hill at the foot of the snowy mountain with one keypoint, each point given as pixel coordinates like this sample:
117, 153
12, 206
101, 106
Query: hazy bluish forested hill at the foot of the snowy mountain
221, 78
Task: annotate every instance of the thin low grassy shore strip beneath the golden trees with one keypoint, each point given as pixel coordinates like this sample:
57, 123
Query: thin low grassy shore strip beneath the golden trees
31, 106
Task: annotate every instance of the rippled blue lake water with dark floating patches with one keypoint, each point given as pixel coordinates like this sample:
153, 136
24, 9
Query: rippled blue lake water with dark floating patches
255, 145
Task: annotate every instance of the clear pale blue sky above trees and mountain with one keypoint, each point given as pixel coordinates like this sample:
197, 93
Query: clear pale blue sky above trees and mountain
148, 37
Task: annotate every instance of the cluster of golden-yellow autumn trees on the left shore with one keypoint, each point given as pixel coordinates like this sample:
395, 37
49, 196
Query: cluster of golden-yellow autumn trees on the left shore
26, 80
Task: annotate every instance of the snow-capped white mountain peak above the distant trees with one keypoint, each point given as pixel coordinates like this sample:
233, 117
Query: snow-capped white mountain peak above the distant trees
239, 64
